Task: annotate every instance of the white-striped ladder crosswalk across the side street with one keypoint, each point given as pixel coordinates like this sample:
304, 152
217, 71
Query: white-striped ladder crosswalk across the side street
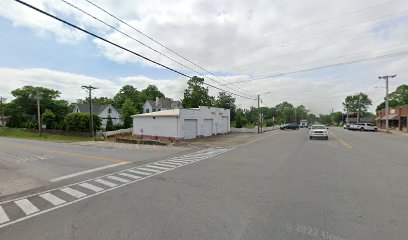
17, 210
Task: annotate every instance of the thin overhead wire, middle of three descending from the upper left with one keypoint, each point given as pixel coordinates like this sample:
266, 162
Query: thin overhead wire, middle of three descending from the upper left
142, 43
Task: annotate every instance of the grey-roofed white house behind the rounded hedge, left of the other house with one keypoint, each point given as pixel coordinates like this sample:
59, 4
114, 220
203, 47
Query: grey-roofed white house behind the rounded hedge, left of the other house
103, 111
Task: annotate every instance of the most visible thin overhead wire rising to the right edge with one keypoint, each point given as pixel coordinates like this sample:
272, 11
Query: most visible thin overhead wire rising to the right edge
327, 66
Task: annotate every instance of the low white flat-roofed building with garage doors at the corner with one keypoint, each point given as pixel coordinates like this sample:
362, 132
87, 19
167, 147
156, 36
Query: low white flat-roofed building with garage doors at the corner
181, 124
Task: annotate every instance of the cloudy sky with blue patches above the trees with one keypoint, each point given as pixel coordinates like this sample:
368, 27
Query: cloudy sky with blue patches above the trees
233, 40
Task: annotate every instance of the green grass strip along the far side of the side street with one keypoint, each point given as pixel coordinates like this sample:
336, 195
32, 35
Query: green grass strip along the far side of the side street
21, 133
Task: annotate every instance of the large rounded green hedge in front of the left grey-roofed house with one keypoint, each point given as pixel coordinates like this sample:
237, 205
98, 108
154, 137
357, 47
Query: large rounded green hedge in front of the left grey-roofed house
79, 122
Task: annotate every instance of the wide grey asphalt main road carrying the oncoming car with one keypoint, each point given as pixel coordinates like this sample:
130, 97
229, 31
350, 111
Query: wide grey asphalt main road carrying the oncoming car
280, 186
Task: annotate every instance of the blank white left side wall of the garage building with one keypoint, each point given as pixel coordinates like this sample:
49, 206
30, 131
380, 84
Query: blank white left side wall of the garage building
165, 127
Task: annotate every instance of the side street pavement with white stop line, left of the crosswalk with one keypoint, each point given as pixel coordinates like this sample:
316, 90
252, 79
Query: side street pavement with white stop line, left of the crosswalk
26, 164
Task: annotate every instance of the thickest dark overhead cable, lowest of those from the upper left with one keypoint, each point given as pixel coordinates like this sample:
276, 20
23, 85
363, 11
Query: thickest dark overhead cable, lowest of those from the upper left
119, 46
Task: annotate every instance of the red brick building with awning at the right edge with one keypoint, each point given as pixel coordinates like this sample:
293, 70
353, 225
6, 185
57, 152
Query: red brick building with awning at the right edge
397, 118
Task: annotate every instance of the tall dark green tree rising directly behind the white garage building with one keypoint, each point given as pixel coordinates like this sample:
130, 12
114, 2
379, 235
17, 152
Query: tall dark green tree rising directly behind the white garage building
196, 94
